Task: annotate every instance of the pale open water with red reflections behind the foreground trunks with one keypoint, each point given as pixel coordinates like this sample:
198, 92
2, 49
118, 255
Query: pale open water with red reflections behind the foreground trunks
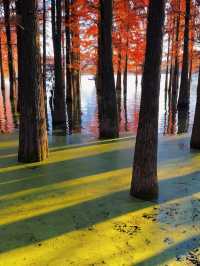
87, 125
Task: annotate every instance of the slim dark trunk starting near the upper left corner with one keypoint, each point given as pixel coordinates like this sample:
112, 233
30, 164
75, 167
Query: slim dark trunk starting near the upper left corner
12, 76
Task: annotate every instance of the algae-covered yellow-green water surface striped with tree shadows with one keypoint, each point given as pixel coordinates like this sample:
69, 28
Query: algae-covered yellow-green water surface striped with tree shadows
75, 208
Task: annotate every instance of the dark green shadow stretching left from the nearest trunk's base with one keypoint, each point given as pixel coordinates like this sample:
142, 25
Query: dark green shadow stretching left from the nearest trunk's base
56, 223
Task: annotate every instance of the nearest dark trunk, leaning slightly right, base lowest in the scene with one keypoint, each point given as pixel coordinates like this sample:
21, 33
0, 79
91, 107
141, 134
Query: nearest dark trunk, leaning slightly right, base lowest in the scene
144, 180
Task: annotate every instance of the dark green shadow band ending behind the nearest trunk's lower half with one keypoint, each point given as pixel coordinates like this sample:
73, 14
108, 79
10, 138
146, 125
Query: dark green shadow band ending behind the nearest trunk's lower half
39, 176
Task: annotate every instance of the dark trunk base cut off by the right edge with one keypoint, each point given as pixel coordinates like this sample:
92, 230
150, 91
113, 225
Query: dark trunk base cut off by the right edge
195, 139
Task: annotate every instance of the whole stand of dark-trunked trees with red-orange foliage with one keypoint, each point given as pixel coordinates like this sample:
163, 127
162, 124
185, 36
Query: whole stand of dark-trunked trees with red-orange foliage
66, 38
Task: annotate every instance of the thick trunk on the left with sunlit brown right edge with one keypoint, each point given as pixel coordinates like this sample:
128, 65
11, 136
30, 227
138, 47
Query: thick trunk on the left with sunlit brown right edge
33, 142
